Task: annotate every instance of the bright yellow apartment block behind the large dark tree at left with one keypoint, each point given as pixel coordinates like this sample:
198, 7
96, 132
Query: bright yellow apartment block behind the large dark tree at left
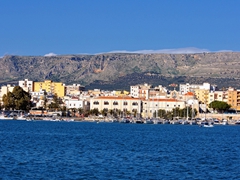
50, 87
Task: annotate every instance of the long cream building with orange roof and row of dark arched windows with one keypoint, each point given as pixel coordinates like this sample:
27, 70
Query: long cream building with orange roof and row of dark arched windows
123, 104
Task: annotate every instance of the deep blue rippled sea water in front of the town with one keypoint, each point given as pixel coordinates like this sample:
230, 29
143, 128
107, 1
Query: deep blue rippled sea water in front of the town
81, 150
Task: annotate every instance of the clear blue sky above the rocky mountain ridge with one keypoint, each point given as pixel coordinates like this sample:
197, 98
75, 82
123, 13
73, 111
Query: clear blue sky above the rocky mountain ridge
96, 26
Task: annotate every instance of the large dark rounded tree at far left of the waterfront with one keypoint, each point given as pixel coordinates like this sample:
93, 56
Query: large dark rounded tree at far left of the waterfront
18, 99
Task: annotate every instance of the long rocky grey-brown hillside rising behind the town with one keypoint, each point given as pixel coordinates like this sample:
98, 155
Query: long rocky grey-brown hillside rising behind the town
118, 71
